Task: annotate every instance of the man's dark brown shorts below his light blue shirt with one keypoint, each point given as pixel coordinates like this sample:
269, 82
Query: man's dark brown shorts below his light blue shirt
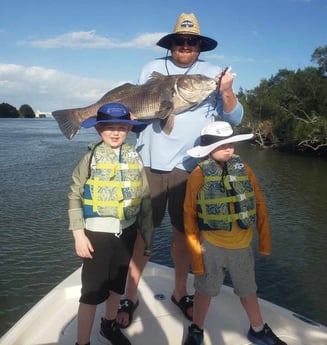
168, 187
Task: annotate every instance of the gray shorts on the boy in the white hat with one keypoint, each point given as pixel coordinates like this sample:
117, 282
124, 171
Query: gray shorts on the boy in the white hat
217, 261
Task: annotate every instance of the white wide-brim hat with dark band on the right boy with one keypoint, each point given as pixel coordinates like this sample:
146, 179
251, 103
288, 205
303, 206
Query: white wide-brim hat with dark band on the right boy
214, 135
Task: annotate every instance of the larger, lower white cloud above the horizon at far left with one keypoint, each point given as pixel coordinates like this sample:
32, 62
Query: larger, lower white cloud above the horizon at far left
48, 89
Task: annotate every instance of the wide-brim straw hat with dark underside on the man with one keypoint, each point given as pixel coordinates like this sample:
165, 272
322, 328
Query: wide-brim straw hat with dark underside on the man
187, 24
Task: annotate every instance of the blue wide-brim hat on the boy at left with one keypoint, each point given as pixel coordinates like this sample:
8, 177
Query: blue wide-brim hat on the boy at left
114, 113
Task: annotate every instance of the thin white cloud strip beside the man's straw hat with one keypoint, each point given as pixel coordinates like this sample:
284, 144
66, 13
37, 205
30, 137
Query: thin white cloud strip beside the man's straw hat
89, 40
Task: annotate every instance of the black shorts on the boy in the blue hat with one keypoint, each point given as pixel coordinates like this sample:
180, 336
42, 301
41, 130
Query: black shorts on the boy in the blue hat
107, 270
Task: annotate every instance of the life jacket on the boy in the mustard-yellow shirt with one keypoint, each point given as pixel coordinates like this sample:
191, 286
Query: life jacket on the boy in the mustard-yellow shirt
225, 185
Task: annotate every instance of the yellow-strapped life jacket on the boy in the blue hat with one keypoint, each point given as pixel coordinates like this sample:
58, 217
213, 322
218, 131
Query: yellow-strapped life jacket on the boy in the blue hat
114, 187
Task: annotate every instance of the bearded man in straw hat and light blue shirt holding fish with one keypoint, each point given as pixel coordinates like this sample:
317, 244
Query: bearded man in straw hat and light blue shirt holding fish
165, 157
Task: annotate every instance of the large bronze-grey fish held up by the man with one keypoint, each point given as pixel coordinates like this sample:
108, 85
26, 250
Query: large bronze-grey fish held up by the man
160, 97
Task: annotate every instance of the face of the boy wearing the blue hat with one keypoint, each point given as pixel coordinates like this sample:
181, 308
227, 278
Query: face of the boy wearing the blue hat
113, 135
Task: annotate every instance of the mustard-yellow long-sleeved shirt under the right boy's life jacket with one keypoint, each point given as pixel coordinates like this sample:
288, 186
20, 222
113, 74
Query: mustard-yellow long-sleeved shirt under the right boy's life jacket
236, 238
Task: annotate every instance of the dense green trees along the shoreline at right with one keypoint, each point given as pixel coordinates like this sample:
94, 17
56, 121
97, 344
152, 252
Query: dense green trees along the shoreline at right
289, 110
